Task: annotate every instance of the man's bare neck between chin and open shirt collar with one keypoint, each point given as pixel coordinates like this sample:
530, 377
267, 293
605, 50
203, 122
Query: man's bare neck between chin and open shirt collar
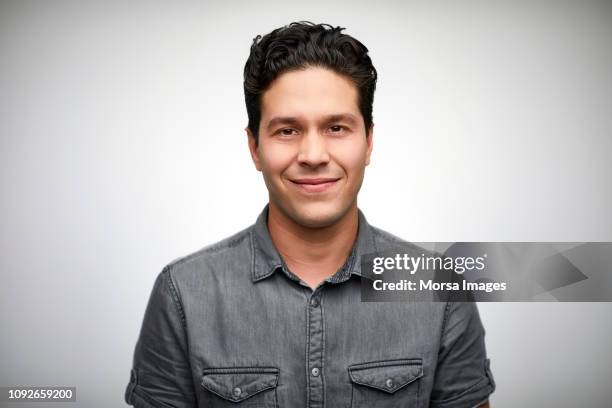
313, 254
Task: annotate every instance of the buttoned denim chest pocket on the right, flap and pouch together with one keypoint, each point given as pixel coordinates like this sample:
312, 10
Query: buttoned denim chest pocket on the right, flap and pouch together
386, 384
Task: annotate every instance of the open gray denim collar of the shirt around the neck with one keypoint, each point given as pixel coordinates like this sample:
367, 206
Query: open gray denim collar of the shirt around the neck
266, 259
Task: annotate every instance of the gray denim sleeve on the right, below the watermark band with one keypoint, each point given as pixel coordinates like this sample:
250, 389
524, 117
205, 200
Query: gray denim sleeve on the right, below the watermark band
463, 376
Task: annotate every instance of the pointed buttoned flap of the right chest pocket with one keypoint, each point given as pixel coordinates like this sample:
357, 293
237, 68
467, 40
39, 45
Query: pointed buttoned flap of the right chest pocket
388, 375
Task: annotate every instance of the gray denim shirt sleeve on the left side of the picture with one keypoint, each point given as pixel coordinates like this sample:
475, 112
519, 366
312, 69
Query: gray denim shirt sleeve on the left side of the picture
161, 373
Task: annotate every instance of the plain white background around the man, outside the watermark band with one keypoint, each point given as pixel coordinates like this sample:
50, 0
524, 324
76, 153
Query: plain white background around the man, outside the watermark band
122, 148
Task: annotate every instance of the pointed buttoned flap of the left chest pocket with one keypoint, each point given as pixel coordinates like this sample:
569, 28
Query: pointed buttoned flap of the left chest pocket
238, 384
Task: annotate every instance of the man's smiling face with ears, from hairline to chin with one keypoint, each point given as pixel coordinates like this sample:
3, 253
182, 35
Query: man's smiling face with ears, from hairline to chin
312, 147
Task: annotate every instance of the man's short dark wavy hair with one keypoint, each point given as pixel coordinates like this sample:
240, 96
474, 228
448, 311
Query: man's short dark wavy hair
300, 45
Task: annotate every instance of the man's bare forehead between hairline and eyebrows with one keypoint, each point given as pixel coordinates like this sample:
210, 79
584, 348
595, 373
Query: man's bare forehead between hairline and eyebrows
310, 92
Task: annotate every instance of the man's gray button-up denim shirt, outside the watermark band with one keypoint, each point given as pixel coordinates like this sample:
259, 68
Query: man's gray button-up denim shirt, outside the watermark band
231, 326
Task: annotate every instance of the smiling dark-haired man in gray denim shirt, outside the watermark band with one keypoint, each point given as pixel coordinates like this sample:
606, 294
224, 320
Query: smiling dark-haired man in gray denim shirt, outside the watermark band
272, 316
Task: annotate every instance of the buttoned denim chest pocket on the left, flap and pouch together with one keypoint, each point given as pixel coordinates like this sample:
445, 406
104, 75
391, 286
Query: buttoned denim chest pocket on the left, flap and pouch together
253, 387
